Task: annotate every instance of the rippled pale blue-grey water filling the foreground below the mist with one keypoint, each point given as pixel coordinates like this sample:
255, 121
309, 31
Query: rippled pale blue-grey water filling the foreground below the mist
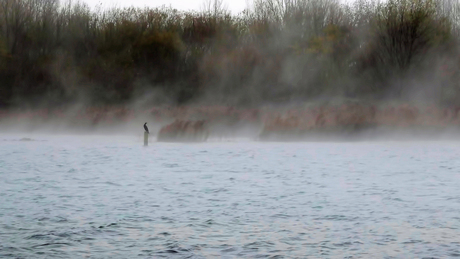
101, 197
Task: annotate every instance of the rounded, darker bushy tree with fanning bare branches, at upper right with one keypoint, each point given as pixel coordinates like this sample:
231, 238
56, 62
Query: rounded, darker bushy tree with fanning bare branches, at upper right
404, 33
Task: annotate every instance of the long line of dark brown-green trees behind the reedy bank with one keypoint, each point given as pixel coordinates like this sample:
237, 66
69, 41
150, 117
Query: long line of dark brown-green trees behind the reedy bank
54, 53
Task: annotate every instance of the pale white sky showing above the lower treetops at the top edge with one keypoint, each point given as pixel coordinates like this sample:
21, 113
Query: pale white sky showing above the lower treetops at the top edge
235, 6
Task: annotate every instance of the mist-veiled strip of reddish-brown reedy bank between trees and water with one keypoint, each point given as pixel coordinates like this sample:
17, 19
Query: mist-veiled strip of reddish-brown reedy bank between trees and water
341, 121
